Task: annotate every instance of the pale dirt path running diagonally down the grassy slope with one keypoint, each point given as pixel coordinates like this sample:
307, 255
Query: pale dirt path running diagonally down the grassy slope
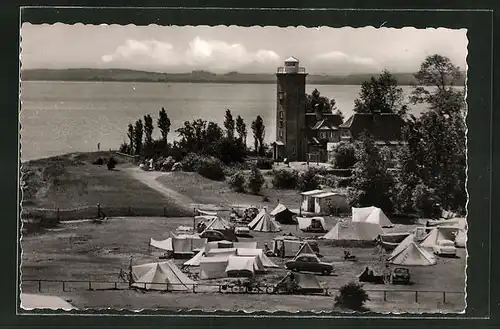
149, 178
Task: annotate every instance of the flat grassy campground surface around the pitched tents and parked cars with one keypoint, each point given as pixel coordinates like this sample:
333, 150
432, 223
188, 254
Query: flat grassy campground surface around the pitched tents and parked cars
88, 251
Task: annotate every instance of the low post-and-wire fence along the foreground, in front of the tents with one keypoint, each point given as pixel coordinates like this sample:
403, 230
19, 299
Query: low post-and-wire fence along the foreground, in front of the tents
383, 295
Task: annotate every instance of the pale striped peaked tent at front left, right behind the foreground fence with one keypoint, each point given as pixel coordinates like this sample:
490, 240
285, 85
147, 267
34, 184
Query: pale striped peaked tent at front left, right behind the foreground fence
160, 276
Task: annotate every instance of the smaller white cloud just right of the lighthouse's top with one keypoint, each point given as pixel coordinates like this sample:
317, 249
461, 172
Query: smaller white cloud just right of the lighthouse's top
341, 62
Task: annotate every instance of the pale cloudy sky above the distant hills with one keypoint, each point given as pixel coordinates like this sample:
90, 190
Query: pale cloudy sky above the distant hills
221, 49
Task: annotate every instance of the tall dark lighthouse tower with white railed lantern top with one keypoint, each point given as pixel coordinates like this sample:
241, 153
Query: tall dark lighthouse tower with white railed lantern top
290, 112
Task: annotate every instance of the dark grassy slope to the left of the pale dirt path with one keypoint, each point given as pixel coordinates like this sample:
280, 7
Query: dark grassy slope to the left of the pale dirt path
72, 181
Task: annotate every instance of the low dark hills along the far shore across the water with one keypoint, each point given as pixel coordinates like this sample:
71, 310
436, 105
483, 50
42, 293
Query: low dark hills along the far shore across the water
85, 74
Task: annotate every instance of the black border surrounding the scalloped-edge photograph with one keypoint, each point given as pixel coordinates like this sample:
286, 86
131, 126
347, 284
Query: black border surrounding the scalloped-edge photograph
482, 180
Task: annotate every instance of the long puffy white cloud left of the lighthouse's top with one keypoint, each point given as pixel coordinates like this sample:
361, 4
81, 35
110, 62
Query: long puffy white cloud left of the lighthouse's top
215, 55
